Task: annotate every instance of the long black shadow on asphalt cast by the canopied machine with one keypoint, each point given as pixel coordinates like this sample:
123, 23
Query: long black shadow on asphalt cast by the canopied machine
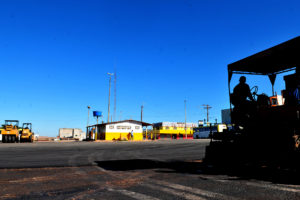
243, 171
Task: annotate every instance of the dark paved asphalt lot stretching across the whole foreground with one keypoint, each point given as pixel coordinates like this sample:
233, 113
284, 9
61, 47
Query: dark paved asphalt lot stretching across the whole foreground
171, 169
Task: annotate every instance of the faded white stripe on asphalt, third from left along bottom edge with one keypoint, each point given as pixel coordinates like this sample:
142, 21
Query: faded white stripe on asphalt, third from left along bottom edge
195, 190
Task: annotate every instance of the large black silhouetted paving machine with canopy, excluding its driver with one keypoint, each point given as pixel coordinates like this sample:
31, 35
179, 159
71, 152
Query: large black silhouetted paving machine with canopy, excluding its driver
266, 131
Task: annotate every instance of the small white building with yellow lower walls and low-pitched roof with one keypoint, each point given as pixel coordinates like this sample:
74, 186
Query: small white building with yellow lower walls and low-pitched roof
119, 130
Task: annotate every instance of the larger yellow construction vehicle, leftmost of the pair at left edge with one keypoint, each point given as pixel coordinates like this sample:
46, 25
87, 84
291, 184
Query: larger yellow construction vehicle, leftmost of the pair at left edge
10, 131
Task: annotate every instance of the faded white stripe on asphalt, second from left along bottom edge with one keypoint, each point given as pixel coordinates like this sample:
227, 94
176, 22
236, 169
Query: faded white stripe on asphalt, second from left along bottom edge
185, 195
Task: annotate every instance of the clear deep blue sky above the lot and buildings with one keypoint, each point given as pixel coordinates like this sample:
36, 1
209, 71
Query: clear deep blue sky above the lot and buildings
55, 55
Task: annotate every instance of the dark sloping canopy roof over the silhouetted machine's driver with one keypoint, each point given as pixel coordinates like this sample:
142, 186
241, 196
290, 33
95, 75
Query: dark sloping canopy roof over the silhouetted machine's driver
280, 58
